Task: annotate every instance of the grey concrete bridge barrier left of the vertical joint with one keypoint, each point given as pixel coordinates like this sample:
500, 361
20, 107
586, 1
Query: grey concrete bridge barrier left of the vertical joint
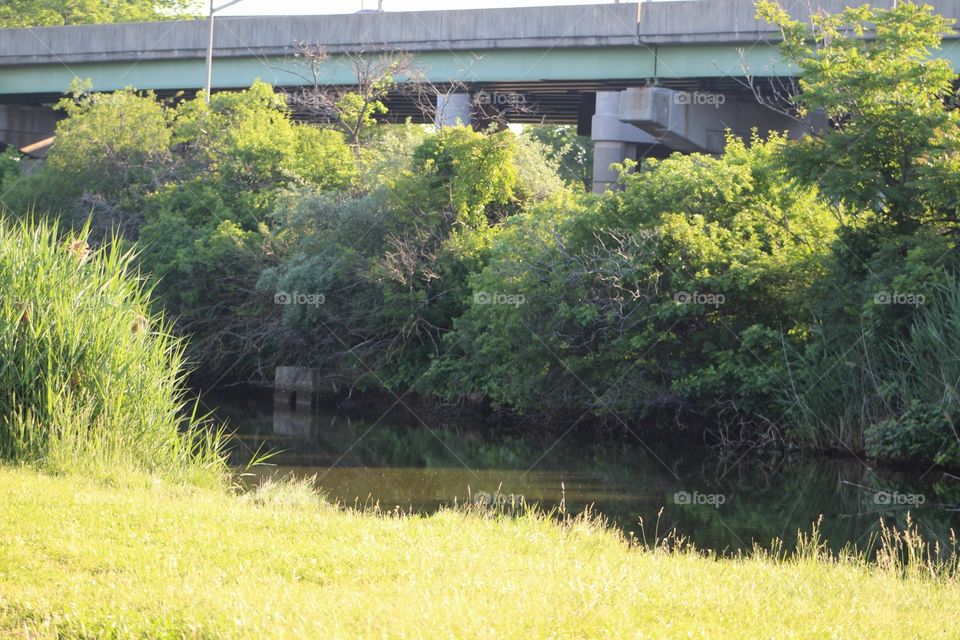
567, 26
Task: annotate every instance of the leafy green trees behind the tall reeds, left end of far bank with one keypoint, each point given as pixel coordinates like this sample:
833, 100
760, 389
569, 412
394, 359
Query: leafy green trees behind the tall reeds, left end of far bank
196, 184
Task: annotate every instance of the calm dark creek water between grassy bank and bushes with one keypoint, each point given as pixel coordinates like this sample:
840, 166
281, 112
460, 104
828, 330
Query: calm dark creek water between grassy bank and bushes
722, 504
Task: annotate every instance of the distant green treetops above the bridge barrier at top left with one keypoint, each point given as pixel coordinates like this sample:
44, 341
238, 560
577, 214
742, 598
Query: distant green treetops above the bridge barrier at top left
40, 13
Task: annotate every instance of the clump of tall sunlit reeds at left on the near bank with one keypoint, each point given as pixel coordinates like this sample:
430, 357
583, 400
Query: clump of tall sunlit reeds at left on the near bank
90, 381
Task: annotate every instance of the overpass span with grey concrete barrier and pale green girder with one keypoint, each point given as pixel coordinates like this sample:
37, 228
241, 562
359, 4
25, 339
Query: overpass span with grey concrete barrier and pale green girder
594, 45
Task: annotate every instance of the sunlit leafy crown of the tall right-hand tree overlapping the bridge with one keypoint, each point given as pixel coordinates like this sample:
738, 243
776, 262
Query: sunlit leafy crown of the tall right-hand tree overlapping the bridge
894, 140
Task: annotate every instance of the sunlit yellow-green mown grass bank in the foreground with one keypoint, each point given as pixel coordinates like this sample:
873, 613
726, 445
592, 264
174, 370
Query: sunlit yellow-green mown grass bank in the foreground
83, 559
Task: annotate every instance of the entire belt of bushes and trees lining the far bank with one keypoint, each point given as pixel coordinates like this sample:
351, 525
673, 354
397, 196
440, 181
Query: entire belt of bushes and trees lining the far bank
786, 290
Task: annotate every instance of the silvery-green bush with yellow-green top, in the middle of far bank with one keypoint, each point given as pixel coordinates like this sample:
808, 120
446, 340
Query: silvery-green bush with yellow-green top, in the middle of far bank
394, 264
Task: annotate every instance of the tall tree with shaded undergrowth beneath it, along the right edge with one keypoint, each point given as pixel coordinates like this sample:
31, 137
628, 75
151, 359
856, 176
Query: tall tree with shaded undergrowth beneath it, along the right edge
876, 358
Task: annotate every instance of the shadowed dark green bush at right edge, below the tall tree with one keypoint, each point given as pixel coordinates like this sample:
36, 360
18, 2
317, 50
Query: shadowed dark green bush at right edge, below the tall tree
866, 362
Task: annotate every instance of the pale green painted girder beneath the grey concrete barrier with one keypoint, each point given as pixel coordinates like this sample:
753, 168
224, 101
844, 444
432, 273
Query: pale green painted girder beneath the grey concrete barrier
498, 65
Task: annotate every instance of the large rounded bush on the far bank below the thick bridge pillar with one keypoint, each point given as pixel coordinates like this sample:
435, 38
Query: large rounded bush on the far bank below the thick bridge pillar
606, 317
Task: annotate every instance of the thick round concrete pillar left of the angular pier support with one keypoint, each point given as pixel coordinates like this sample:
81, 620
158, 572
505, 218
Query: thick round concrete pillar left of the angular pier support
613, 141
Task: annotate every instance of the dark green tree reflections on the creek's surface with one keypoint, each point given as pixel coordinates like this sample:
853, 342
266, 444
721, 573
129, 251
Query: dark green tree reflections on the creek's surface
767, 497
